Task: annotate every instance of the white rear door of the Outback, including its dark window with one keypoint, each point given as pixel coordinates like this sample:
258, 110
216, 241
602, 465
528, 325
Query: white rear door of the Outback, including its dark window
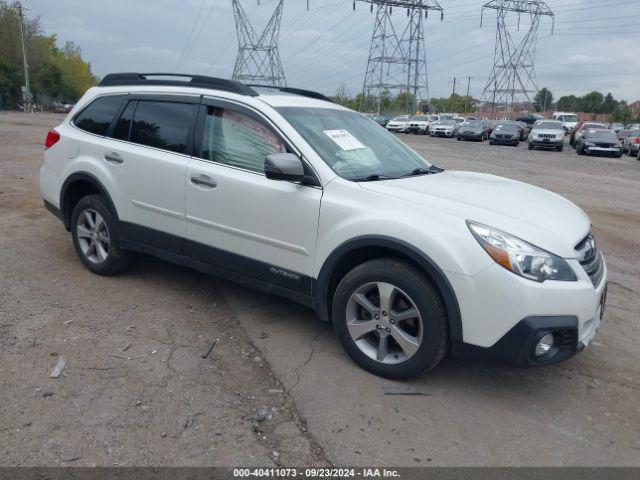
147, 151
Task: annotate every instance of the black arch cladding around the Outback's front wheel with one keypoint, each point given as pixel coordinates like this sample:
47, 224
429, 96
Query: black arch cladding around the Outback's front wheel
356, 251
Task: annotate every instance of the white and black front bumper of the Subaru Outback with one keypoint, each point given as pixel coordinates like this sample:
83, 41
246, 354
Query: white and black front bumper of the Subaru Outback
504, 316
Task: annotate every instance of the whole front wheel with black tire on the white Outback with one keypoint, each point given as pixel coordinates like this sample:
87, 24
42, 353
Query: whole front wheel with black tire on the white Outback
390, 319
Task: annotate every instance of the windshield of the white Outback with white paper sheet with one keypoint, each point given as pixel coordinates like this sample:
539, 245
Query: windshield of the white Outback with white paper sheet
355, 148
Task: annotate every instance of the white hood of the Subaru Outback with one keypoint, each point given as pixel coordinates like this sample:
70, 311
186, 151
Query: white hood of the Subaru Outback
533, 214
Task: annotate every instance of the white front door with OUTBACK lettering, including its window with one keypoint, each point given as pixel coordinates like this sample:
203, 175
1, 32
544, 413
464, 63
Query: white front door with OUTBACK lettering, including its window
236, 217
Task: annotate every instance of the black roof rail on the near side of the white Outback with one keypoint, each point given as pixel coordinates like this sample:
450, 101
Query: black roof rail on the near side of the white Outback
177, 79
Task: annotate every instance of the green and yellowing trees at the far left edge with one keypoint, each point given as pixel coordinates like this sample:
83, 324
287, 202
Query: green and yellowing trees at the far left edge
55, 73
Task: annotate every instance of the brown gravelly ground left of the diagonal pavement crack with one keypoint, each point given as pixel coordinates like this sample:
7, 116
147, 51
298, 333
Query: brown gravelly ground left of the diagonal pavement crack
135, 389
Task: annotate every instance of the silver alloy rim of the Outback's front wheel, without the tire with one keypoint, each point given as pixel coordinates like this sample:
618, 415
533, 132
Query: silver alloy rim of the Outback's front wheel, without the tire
384, 322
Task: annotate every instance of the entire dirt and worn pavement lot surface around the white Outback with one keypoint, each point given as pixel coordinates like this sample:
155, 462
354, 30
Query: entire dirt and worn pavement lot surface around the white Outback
173, 407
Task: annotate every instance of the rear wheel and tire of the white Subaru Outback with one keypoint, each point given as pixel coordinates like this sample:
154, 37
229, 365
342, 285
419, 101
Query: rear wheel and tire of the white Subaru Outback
96, 236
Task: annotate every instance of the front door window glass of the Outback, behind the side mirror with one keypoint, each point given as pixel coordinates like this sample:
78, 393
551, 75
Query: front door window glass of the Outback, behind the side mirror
238, 140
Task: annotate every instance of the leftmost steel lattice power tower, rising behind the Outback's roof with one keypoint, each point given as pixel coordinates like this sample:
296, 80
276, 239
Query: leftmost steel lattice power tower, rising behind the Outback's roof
258, 60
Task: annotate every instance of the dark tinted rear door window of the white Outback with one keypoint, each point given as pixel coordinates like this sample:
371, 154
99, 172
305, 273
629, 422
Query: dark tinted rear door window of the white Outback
162, 125
